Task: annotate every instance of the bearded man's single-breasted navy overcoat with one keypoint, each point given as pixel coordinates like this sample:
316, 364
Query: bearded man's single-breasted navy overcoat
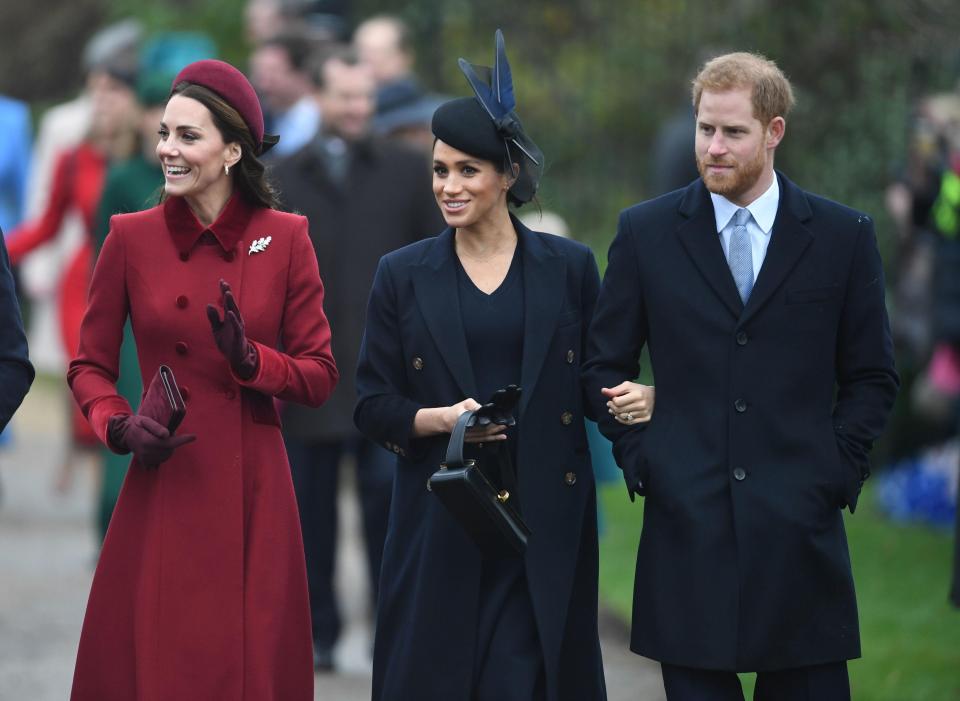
765, 416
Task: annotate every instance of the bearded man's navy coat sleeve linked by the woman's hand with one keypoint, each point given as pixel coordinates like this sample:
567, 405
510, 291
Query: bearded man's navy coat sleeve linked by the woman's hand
618, 332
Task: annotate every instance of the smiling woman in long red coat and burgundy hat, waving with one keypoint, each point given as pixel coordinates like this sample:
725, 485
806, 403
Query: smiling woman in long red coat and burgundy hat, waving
201, 590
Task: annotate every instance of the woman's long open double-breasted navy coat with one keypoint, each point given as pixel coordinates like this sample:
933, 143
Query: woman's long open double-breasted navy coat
414, 354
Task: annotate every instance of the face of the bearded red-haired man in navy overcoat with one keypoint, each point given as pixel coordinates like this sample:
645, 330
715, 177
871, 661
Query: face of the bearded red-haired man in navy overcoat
734, 150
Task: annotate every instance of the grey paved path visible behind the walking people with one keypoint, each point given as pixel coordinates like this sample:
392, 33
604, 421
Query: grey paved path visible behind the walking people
47, 552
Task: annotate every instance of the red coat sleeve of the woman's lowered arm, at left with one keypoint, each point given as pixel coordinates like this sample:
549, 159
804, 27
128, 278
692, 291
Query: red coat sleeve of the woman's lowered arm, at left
93, 372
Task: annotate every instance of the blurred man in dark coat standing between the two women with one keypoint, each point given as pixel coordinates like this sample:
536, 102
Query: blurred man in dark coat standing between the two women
364, 197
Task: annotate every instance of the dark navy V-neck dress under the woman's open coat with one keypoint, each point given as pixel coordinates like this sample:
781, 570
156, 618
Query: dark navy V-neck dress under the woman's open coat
508, 661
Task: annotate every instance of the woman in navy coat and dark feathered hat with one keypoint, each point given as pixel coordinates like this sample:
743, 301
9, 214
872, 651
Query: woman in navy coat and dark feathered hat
486, 303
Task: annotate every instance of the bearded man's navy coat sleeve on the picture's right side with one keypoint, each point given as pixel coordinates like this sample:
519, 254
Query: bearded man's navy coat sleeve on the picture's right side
867, 382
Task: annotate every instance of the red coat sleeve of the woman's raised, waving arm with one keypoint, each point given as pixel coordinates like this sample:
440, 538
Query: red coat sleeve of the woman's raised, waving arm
304, 372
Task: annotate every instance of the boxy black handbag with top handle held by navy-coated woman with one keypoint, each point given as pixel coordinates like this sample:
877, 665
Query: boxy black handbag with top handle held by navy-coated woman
485, 512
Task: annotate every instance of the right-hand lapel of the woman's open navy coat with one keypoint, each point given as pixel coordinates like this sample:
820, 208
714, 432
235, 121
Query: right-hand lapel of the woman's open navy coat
544, 286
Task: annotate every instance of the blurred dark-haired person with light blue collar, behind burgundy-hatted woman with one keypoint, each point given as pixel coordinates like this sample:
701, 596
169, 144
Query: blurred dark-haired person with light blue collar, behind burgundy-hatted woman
280, 72
